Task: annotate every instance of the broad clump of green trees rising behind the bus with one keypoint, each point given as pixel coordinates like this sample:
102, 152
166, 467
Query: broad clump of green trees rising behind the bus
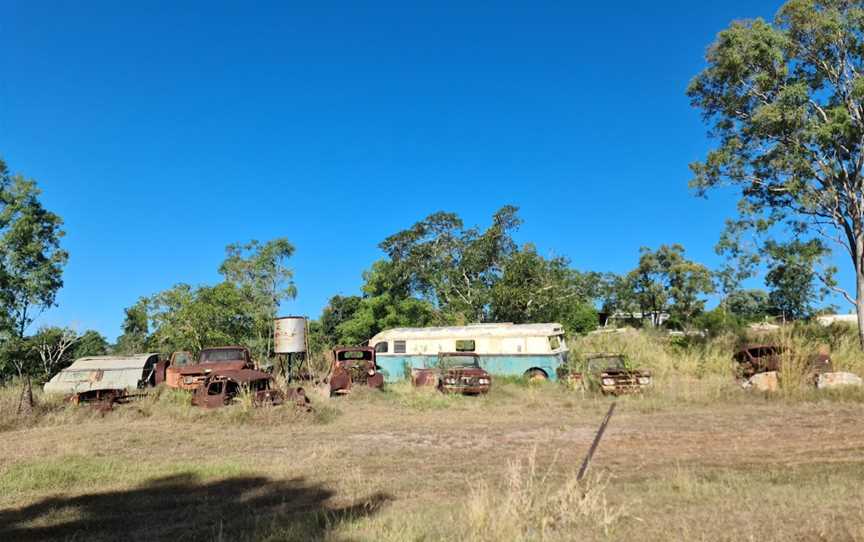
439, 273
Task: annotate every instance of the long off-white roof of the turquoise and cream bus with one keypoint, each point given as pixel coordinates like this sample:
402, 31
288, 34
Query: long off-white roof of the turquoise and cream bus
470, 332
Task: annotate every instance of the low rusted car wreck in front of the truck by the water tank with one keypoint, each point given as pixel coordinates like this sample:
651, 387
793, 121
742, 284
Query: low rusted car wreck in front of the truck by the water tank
221, 388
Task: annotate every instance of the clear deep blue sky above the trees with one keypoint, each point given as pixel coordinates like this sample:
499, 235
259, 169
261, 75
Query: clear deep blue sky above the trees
161, 132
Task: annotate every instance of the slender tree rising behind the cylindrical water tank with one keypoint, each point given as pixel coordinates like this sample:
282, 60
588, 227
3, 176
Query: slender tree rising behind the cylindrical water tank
259, 272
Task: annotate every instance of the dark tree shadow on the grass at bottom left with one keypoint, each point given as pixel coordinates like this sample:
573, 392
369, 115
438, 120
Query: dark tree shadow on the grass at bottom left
185, 508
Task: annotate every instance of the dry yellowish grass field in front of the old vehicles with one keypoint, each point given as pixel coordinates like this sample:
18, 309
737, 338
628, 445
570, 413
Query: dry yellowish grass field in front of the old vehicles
695, 459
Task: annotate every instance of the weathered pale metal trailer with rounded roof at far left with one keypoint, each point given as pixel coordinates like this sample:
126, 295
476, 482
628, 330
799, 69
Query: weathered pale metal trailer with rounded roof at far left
105, 378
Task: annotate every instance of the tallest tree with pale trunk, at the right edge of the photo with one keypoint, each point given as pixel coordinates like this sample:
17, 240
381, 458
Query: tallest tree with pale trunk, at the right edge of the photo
784, 101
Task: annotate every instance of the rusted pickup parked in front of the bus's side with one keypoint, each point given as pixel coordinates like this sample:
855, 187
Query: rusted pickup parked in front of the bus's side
454, 372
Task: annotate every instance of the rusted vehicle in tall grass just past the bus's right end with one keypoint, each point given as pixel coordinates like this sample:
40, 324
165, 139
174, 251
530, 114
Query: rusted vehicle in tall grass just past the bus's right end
608, 373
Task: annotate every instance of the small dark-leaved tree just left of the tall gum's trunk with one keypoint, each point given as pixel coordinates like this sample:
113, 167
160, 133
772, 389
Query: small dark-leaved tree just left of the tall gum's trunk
792, 278
